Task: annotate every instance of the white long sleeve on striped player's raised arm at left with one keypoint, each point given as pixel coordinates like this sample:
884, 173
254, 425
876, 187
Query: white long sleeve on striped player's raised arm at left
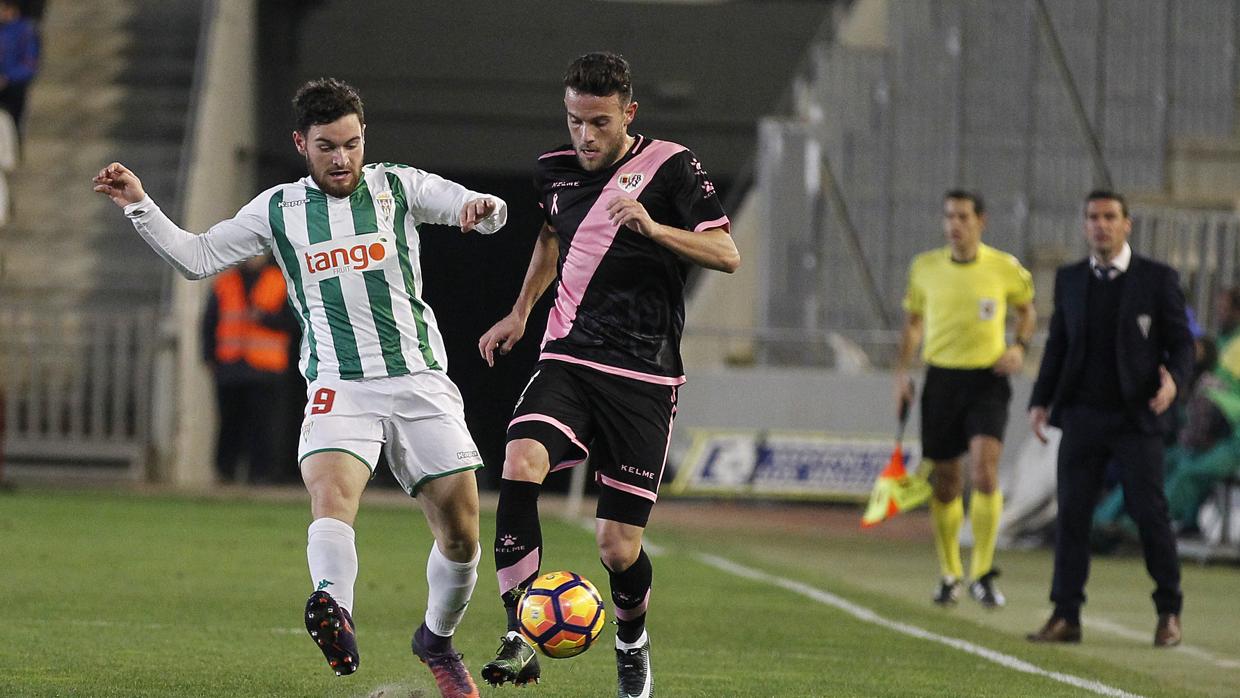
199, 256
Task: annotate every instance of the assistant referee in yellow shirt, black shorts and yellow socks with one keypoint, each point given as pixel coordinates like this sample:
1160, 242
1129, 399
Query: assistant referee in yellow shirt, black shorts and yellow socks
958, 301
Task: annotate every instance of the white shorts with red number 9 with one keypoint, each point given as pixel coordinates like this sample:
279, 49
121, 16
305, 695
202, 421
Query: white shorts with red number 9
417, 420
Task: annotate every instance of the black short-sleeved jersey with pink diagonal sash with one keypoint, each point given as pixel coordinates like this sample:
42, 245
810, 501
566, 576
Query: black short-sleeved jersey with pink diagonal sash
621, 297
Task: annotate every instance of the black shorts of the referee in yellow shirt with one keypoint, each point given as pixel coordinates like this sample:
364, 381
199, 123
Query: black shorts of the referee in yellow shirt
959, 405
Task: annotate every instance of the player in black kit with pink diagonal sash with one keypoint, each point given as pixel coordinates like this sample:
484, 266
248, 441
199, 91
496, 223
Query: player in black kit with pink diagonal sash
626, 218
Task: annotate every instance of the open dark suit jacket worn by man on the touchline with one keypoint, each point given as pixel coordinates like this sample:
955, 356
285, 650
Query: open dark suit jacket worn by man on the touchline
1153, 332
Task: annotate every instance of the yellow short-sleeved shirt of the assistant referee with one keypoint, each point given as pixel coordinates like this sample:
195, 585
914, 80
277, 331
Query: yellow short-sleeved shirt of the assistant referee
964, 304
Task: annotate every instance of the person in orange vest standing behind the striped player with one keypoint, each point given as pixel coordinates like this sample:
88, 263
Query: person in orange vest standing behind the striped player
247, 330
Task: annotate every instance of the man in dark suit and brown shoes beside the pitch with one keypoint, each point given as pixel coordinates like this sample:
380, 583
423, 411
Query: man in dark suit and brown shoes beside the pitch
1118, 351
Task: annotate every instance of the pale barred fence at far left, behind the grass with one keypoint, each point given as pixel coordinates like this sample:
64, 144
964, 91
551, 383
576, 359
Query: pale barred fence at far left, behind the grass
77, 390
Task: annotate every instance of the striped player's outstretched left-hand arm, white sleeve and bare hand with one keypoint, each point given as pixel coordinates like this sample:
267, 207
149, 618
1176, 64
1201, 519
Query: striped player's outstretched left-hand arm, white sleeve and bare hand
195, 257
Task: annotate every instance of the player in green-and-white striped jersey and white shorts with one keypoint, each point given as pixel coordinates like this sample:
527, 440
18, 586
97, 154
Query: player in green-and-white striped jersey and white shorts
347, 239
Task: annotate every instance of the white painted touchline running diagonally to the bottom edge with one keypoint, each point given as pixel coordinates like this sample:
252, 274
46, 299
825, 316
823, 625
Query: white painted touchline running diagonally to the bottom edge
867, 616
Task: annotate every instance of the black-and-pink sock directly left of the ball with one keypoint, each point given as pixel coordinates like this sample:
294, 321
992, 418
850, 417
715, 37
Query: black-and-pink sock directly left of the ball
518, 542
